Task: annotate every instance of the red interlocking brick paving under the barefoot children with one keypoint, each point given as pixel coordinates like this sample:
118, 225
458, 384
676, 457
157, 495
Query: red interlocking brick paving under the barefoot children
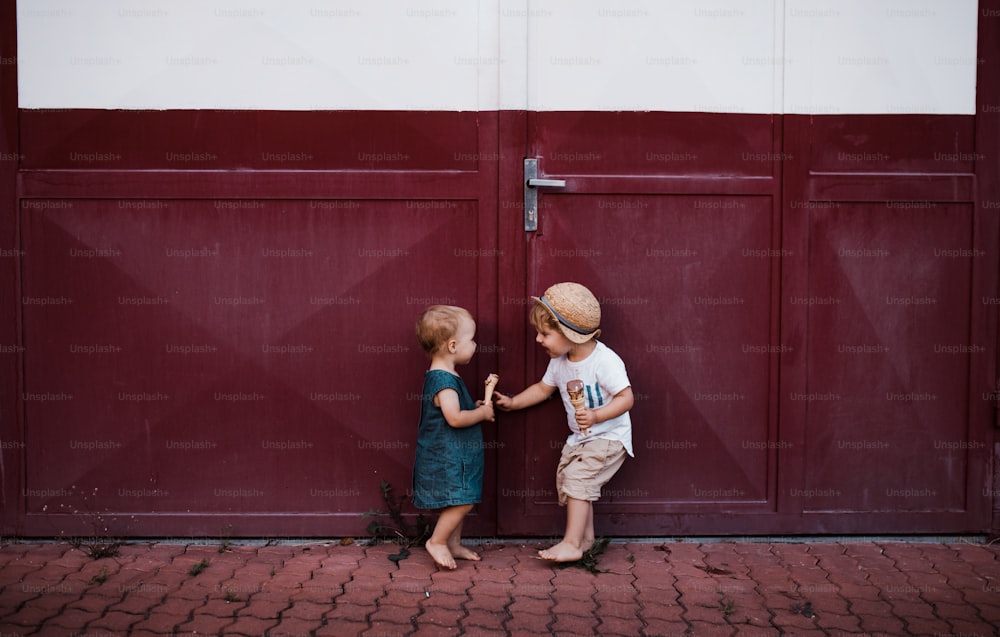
650, 588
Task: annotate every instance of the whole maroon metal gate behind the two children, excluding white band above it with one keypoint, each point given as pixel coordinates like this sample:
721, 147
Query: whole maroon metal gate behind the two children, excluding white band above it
206, 326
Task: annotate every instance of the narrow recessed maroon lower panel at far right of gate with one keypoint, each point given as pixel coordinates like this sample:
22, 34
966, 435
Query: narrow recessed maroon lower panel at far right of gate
889, 358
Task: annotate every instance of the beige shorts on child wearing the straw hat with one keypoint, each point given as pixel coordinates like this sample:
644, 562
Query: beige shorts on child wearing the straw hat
586, 467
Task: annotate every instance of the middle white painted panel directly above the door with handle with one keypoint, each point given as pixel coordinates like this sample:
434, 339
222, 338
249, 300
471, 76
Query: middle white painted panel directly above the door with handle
715, 56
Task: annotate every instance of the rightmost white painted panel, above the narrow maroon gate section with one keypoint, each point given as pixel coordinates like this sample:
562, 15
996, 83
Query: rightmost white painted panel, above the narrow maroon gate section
885, 56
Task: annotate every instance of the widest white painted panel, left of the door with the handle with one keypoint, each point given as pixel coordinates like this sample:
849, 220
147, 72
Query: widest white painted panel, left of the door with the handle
257, 54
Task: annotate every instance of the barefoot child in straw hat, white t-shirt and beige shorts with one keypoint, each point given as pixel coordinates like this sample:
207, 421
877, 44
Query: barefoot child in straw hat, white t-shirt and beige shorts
568, 318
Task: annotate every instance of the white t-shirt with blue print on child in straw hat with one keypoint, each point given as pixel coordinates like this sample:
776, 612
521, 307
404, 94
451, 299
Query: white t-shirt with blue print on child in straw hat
603, 375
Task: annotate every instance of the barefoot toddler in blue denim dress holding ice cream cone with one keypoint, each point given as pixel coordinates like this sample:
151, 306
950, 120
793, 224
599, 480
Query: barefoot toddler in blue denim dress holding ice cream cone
448, 468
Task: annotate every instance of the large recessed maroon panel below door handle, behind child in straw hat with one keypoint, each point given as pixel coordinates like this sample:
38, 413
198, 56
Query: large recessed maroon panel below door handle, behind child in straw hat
682, 304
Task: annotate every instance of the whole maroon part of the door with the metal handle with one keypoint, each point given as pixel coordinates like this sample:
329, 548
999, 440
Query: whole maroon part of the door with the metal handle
683, 264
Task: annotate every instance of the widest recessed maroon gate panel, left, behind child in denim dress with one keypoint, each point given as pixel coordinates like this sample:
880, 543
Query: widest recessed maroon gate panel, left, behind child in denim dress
229, 357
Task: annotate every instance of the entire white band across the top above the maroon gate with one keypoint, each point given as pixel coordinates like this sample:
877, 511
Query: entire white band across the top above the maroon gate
753, 56
